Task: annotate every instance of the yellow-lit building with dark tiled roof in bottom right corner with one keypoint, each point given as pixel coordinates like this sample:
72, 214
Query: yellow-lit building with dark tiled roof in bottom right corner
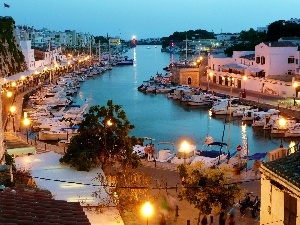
280, 186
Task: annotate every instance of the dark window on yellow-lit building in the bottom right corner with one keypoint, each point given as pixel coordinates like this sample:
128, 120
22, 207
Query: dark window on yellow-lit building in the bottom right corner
290, 209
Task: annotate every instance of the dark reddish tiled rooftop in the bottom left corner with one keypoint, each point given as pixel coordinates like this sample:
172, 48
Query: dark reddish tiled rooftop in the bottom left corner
21, 205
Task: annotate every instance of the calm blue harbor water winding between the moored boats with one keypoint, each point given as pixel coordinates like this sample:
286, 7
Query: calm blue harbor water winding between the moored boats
163, 119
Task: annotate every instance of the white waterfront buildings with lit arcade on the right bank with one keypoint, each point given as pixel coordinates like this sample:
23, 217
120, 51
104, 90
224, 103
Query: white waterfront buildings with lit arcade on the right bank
272, 68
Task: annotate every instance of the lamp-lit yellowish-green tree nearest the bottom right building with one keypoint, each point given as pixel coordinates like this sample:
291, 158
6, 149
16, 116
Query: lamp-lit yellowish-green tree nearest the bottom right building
207, 188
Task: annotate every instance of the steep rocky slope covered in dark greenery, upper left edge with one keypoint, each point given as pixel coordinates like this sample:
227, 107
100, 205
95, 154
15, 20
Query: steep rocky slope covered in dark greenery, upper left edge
12, 60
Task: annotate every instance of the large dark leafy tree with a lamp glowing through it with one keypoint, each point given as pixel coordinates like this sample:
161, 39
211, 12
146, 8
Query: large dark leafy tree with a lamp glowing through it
103, 137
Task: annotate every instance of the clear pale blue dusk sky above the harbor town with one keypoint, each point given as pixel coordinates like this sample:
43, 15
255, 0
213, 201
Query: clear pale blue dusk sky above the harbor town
149, 18
